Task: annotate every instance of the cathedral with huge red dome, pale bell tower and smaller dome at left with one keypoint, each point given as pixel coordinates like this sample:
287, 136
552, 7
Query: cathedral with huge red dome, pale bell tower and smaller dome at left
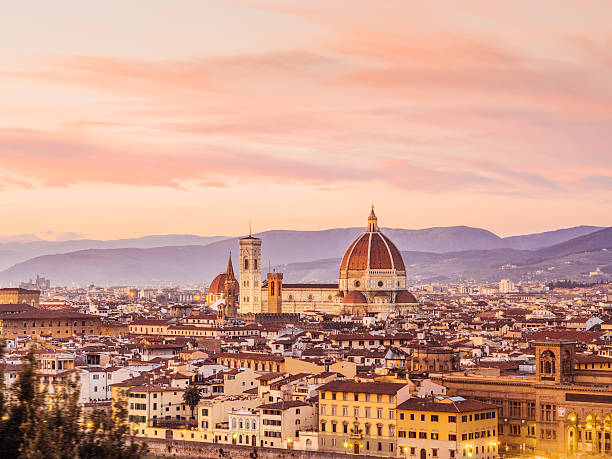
371, 280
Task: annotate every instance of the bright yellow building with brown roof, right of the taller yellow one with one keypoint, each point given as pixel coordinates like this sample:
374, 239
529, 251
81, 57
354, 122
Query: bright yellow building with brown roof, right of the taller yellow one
446, 428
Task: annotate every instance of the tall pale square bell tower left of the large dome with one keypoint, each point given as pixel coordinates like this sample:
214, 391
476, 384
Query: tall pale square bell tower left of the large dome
250, 275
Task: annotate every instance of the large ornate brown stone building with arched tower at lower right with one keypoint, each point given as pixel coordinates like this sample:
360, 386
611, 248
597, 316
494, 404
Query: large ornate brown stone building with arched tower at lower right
564, 409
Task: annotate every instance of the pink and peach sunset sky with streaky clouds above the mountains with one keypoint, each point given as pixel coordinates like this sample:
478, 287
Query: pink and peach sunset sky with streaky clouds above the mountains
125, 118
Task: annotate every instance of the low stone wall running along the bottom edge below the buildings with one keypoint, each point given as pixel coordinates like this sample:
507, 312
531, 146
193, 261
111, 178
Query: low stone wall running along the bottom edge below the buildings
170, 448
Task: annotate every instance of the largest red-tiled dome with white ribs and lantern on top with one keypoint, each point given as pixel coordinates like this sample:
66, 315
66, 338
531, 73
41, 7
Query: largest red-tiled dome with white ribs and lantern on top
372, 250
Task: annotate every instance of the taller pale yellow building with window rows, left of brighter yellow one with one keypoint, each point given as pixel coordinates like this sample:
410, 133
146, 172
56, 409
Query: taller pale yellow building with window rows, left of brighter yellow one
359, 417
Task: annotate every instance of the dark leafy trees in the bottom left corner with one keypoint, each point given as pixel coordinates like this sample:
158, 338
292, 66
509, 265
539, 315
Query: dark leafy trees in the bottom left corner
35, 424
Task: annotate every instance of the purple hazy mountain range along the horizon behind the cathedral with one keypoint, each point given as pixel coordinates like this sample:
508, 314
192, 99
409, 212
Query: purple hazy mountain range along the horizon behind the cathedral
430, 254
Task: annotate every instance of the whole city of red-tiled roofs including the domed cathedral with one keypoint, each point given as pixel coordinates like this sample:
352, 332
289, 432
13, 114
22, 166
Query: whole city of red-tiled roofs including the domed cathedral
368, 366
